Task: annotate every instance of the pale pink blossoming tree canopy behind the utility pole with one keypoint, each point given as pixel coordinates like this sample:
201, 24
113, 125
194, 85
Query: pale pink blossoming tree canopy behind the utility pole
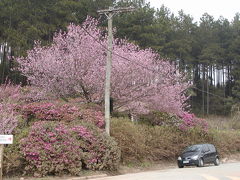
75, 65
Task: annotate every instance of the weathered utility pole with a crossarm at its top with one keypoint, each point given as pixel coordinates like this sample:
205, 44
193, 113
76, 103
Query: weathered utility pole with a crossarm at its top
110, 13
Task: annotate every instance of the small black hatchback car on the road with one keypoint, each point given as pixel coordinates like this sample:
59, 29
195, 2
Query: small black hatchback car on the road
198, 155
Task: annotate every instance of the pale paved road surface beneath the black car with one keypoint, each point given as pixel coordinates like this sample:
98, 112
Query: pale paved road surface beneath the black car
230, 171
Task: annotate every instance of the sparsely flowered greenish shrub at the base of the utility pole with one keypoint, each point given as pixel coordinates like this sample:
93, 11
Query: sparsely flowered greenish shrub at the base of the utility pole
102, 151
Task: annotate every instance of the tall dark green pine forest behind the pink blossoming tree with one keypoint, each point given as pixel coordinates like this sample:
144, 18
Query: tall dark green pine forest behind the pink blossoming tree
208, 51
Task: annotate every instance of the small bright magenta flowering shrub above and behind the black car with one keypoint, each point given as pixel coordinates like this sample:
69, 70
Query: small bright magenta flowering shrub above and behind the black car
190, 121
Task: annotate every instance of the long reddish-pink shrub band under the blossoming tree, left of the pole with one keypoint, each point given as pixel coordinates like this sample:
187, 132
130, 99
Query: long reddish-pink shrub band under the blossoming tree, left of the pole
57, 112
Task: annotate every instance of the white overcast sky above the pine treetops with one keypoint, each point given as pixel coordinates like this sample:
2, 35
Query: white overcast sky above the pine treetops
216, 8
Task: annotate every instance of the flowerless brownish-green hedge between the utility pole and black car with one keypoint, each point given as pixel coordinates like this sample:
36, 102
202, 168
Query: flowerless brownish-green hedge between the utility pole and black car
140, 142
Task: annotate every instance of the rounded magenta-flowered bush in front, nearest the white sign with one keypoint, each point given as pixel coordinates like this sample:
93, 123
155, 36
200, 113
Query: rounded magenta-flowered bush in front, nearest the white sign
50, 149
